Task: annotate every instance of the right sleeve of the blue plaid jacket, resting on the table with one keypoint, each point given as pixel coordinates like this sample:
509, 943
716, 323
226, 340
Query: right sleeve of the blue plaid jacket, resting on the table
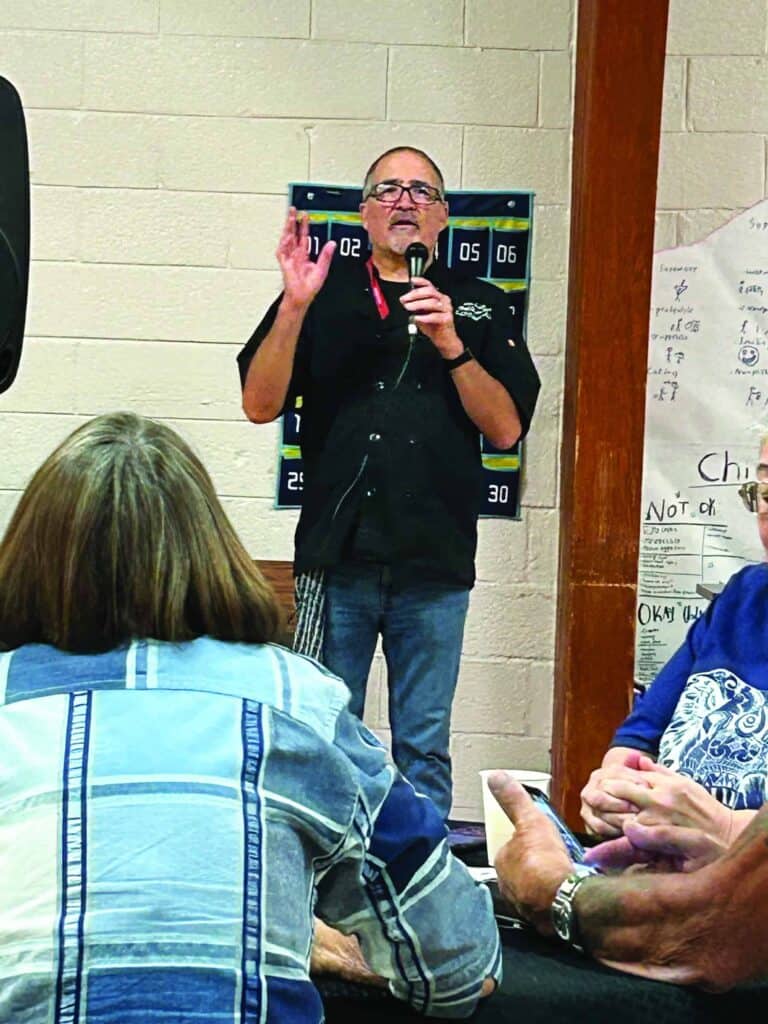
421, 920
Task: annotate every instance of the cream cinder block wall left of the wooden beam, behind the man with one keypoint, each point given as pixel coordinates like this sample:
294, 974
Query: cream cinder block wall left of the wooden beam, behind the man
163, 135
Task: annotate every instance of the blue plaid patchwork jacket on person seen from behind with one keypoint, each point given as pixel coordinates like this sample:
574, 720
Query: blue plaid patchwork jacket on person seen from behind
172, 816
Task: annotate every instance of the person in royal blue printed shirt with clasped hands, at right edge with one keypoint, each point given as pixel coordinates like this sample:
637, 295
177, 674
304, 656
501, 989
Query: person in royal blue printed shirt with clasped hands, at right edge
695, 751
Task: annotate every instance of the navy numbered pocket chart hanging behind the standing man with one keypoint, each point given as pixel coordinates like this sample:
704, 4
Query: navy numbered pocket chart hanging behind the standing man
488, 235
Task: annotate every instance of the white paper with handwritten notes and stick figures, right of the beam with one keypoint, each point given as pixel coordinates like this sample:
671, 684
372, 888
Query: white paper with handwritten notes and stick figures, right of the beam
707, 409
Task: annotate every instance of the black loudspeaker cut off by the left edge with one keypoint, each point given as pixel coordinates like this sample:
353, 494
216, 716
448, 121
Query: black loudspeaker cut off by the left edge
15, 231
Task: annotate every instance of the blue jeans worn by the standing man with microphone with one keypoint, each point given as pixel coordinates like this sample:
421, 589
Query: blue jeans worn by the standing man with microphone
422, 627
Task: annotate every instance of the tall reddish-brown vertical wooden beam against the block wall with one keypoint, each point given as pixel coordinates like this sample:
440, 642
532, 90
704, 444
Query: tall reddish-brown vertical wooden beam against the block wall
619, 84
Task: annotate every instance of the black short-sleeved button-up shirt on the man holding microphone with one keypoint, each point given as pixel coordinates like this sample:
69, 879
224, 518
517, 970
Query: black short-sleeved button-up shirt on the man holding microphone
392, 461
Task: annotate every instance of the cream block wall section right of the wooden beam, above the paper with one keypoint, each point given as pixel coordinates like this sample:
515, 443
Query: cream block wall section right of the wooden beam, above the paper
715, 129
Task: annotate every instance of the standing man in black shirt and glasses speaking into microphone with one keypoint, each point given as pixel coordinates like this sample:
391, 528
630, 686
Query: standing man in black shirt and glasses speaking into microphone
402, 364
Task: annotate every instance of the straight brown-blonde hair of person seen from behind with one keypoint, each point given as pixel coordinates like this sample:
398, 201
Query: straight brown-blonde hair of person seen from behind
120, 535
